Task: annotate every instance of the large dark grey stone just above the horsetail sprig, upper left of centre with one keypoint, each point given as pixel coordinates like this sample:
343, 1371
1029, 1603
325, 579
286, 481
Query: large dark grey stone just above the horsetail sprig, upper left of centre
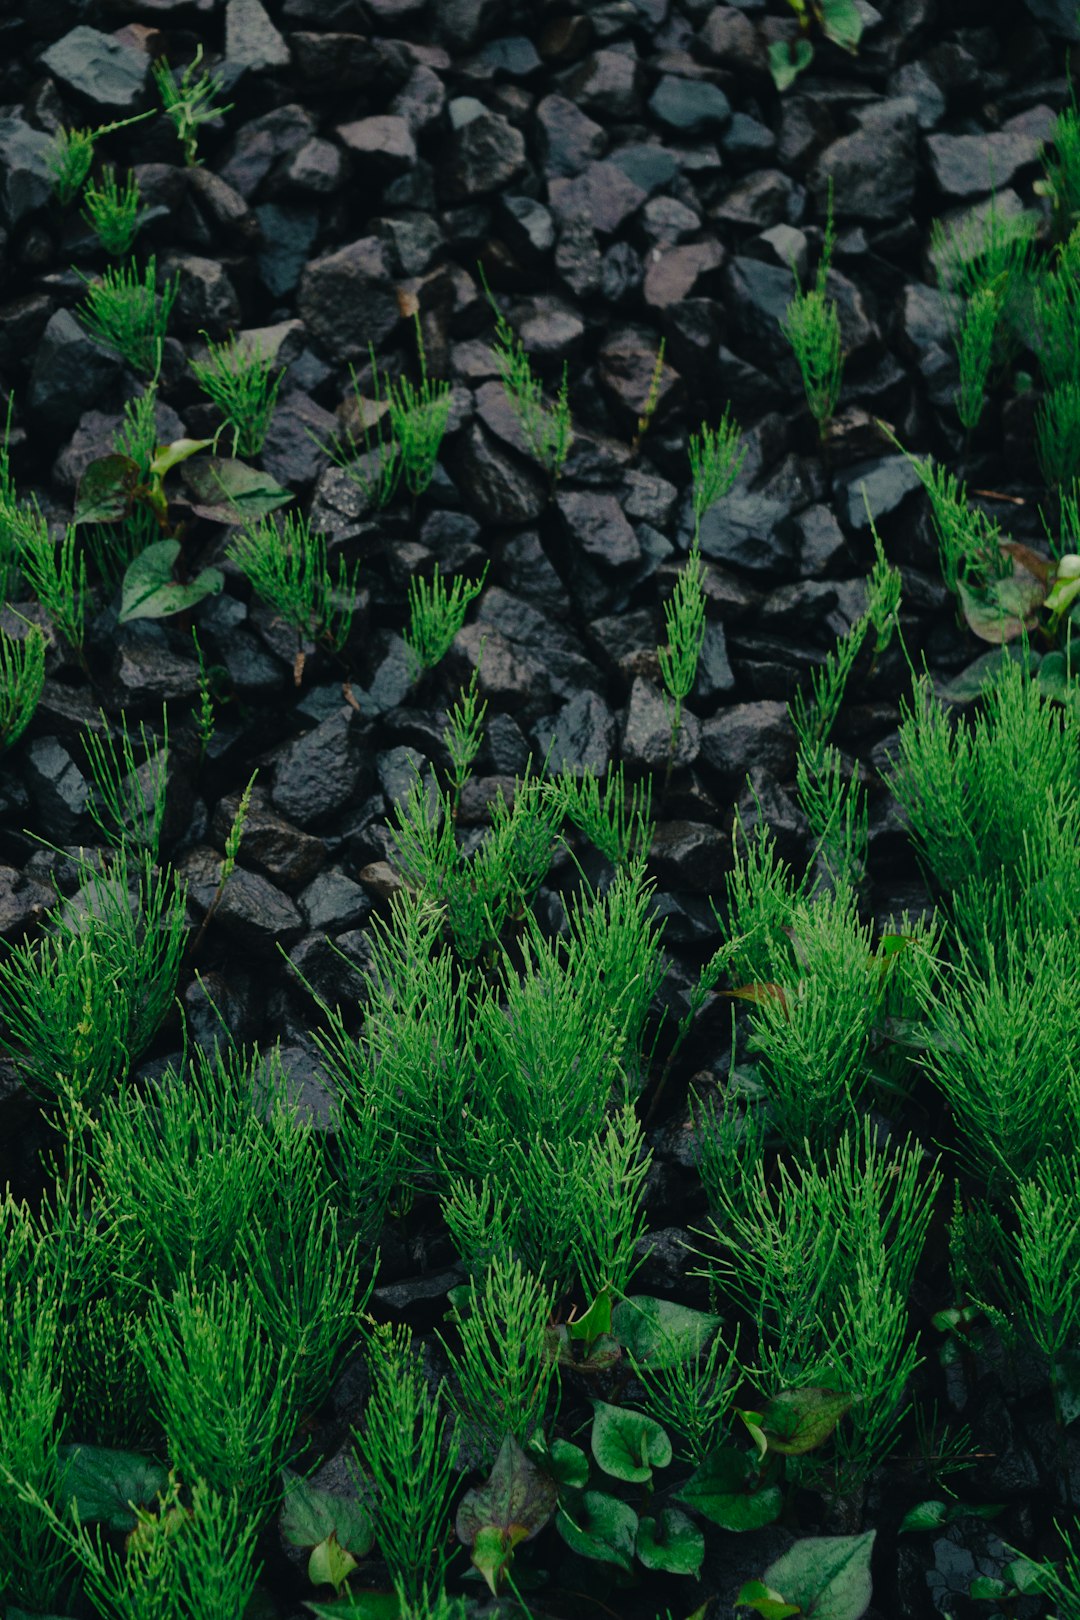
347, 299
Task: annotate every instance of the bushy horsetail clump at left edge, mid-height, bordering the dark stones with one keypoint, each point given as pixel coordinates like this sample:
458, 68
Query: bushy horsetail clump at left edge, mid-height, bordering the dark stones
83, 1002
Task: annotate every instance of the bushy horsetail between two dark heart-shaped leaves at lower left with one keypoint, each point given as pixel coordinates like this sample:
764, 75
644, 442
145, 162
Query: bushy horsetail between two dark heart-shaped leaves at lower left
223, 1394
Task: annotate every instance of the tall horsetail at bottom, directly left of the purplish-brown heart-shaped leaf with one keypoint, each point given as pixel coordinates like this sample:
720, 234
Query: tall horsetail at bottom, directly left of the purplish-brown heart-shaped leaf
407, 1454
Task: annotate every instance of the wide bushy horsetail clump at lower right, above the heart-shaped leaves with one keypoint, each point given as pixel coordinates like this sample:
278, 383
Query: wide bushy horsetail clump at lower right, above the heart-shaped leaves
823, 1258
